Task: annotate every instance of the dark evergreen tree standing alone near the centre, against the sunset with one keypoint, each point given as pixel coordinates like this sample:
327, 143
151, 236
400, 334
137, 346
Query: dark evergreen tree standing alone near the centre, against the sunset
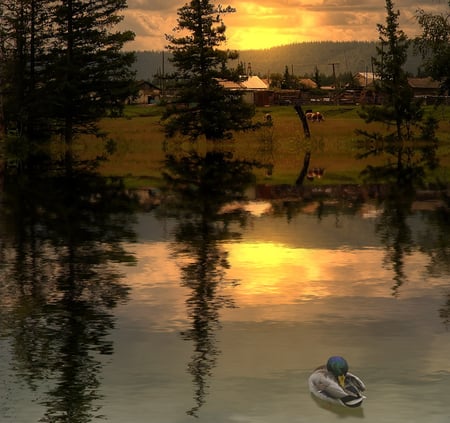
203, 107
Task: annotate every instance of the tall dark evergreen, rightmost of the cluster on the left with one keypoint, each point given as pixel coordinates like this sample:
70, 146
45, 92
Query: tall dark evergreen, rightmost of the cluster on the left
88, 74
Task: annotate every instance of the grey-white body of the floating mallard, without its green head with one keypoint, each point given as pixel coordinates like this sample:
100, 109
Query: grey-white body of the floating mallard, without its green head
324, 385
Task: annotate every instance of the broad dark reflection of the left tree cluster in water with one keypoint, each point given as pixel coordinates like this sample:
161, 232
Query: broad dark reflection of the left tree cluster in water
58, 285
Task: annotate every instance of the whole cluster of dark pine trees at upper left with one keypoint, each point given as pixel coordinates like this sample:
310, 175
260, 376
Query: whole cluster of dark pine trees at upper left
62, 69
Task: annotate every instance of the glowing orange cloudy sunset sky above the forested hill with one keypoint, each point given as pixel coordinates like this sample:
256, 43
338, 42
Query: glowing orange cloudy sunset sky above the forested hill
262, 24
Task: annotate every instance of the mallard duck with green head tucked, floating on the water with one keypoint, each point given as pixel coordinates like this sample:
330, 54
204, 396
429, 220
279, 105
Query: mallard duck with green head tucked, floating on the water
333, 382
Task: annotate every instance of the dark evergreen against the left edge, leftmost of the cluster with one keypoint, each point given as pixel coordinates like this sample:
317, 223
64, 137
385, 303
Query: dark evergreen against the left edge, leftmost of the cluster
23, 24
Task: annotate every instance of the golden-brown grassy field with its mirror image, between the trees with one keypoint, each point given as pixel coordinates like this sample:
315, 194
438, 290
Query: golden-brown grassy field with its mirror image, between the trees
333, 144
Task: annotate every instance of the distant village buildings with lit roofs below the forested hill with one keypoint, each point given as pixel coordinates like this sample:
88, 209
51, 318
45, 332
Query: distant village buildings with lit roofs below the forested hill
261, 91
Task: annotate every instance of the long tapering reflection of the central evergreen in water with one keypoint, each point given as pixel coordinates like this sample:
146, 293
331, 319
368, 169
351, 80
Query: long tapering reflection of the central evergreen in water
200, 185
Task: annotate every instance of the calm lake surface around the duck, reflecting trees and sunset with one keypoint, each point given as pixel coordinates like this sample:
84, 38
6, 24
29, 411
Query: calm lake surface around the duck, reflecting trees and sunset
132, 316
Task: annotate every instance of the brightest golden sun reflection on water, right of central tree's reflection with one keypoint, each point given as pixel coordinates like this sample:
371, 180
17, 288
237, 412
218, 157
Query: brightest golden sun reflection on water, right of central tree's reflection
276, 273
